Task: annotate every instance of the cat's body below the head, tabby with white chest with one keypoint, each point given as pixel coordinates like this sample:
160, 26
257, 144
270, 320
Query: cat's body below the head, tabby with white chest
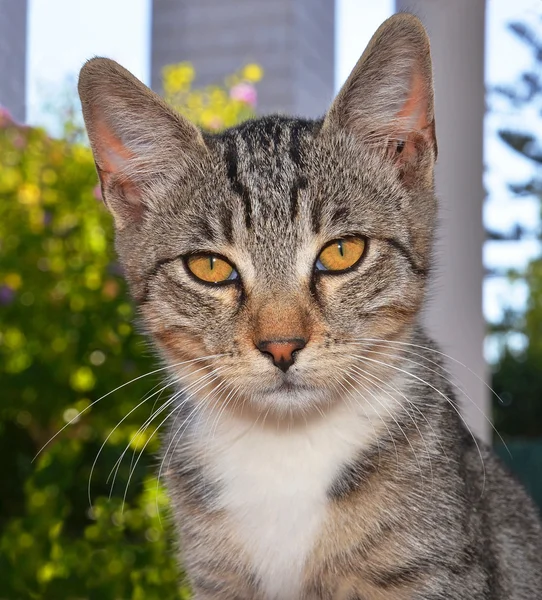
338, 511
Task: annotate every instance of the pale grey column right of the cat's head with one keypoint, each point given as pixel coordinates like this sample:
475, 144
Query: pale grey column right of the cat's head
454, 305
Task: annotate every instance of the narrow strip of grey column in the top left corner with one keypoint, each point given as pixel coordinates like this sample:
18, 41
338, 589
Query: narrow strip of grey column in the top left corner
13, 57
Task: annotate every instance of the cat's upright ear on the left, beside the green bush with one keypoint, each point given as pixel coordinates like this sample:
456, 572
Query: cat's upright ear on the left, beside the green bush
140, 144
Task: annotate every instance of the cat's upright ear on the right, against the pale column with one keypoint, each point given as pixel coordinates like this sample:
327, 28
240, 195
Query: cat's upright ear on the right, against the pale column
387, 101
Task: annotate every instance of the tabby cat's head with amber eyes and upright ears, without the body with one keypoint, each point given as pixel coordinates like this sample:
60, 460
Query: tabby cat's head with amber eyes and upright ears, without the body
278, 248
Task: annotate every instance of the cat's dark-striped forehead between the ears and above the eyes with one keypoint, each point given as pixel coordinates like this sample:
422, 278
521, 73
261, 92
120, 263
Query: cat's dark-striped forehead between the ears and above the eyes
277, 188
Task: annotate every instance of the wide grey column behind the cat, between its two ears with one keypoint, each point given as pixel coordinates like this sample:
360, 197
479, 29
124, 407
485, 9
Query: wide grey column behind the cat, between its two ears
293, 40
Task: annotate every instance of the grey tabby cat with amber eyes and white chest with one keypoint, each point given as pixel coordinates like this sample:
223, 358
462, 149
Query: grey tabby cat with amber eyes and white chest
315, 449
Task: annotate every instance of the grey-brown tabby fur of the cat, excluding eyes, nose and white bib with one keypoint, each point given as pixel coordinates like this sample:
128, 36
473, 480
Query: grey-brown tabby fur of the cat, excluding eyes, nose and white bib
452, 523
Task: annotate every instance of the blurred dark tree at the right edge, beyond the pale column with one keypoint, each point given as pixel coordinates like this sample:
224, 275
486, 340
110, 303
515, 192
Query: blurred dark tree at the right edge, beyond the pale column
517, 376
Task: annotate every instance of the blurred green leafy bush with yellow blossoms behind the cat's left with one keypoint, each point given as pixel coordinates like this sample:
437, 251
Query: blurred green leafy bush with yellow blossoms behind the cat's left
67, 340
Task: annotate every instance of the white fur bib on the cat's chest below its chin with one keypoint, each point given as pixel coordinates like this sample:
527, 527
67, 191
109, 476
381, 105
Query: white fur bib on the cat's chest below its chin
275, 483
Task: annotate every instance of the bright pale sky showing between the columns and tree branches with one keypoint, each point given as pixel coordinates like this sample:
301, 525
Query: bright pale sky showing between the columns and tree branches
64, 33
